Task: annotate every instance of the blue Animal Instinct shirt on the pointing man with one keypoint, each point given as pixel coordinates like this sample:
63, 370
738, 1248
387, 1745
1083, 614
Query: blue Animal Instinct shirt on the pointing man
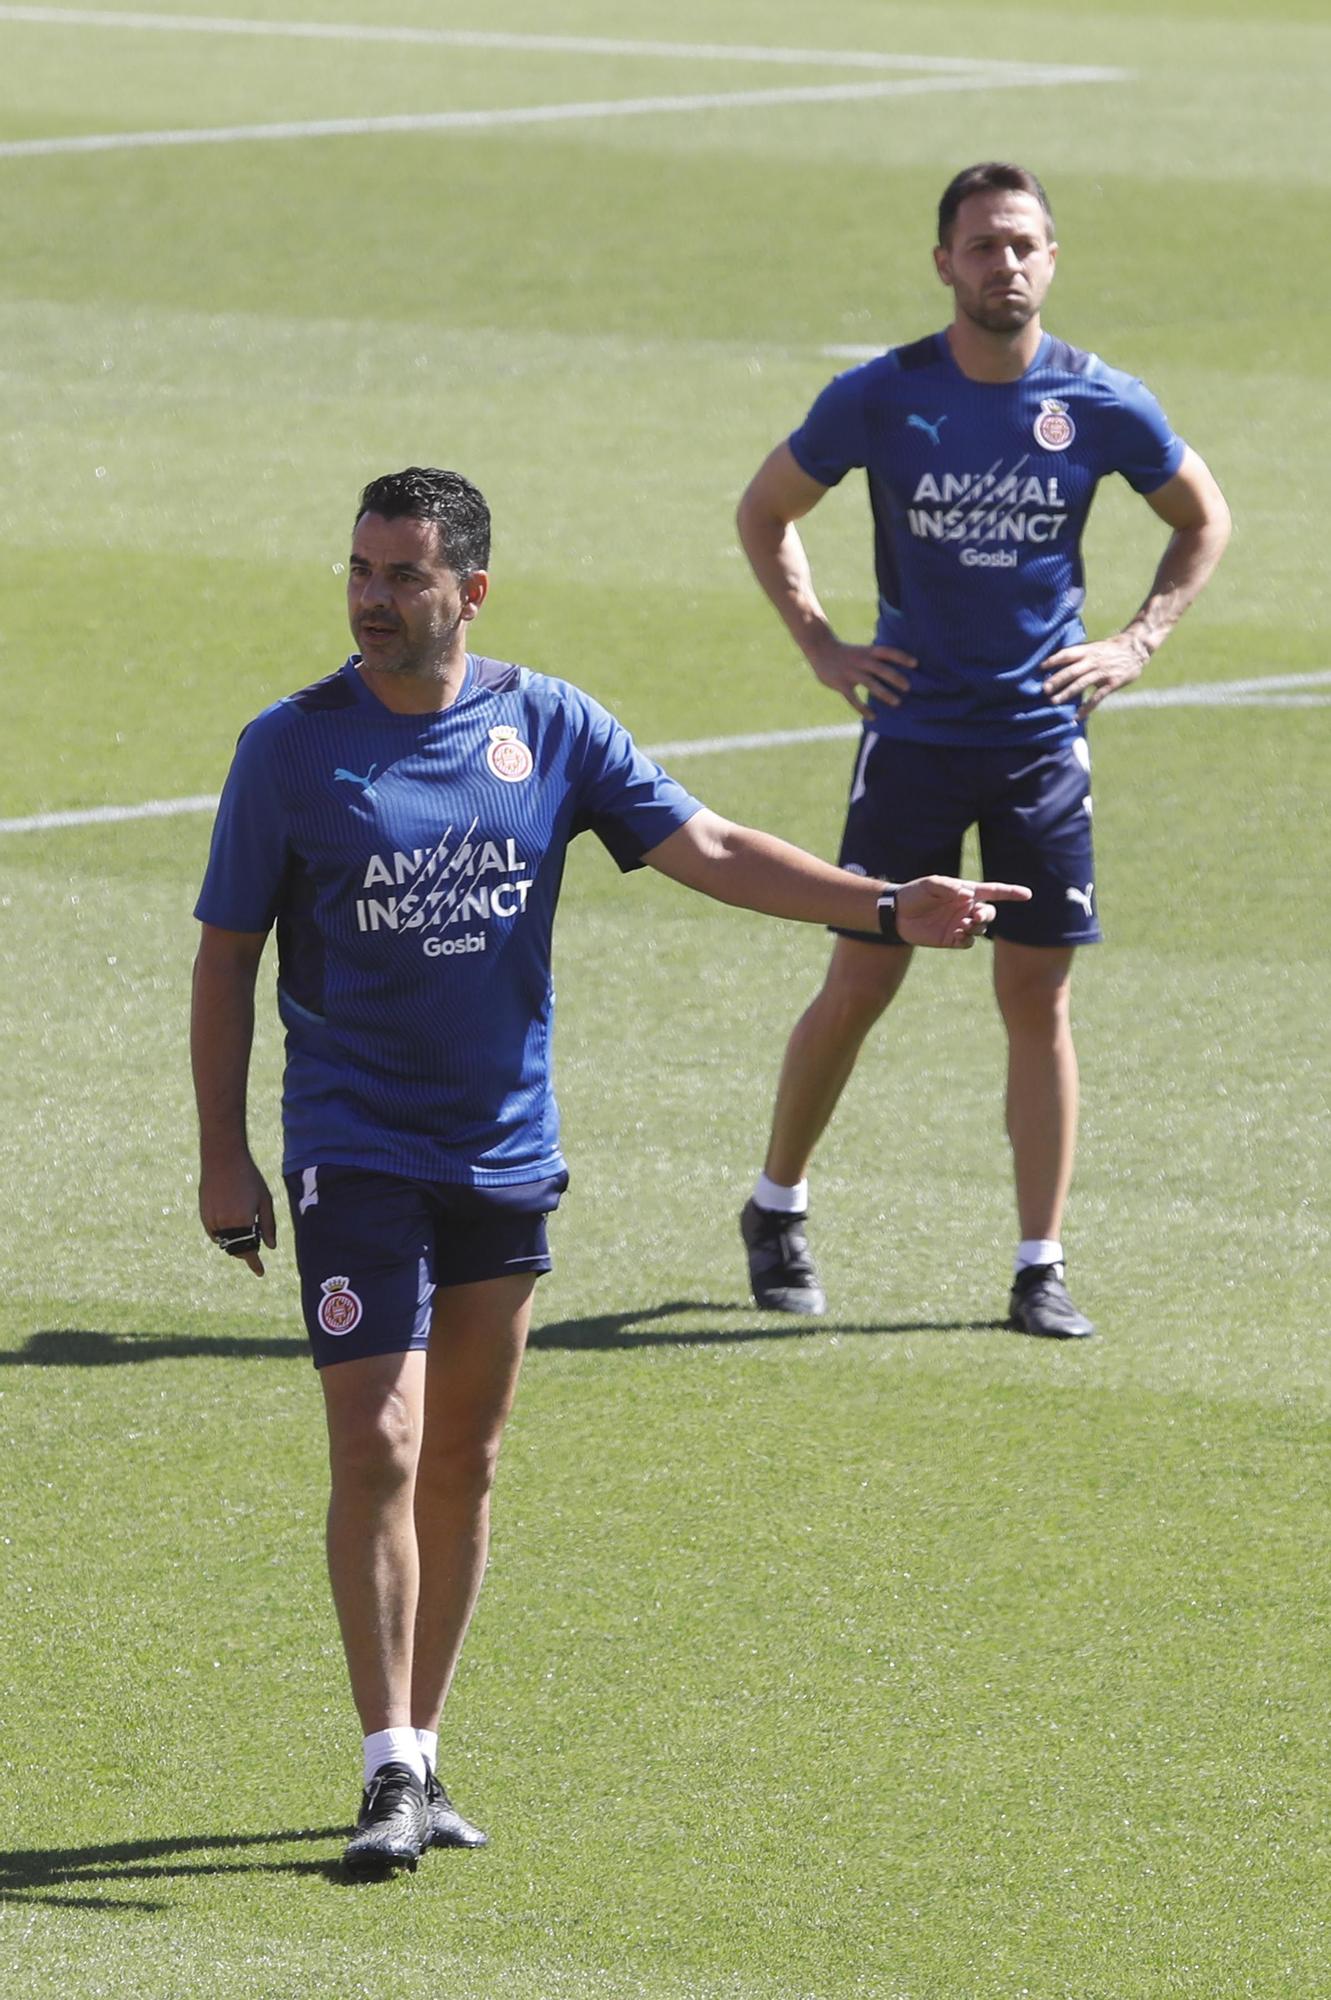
413, 867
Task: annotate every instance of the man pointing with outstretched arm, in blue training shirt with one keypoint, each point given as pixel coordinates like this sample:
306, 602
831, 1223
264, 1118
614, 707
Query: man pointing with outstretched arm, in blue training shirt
405, 825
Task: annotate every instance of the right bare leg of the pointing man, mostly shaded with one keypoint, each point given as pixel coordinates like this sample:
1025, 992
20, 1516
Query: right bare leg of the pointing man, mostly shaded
477, 1345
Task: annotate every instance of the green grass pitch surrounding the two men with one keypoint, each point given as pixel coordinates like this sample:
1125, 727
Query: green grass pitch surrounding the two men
890, 1659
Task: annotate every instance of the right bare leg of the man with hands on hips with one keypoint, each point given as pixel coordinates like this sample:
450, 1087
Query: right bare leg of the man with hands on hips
1032, 987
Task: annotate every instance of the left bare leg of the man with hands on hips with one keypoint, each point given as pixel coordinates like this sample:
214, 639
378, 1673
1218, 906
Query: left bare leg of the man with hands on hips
822, 1051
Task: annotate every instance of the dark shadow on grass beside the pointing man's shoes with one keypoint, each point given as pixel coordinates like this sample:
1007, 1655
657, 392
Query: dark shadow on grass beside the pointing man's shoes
57, 1875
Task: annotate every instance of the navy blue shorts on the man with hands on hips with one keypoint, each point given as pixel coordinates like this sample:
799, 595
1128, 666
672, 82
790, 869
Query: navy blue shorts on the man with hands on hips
912, 805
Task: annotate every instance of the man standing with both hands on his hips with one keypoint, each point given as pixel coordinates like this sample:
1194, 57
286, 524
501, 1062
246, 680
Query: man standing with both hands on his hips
982, 449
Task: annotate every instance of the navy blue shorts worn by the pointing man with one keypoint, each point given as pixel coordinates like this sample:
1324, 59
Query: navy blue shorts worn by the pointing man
373, 1251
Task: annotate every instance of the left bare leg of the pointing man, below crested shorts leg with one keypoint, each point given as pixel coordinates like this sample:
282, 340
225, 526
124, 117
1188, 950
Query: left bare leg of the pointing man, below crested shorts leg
375, 1427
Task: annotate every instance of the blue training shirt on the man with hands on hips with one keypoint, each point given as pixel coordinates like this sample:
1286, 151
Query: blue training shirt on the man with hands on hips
980, 497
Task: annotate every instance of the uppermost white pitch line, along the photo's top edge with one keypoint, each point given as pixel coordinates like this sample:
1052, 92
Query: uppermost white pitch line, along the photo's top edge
543, 45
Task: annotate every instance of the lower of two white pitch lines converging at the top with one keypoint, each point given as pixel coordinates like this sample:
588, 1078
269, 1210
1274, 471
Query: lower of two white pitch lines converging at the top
519, 115
